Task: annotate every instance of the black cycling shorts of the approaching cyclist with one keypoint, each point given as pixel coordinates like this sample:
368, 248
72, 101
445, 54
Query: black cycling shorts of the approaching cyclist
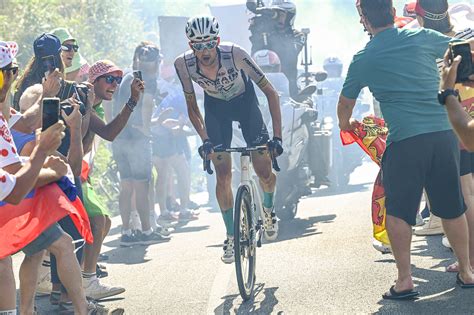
244, 109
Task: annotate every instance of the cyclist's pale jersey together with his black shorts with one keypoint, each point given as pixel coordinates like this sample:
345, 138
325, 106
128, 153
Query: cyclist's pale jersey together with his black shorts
230, 97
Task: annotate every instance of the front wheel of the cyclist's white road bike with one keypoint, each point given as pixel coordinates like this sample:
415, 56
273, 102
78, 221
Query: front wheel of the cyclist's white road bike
244, 242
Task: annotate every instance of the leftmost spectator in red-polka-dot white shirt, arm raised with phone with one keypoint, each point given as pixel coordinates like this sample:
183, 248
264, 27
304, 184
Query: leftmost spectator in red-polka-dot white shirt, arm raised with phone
22, 179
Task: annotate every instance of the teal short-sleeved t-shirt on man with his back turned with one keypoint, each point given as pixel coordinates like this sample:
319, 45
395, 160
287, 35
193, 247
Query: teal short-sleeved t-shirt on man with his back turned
399, 68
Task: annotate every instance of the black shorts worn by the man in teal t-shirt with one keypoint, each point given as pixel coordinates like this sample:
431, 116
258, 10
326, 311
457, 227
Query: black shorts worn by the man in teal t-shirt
429, 161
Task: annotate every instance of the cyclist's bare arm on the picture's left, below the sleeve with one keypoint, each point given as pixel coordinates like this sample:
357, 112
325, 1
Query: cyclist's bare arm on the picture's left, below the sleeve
193, 110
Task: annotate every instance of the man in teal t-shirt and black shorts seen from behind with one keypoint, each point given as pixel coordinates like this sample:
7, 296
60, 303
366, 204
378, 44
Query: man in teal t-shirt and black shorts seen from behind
399, 67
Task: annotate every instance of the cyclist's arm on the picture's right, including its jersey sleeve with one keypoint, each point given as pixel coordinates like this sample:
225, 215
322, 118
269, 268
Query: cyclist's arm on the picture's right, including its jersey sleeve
244, 62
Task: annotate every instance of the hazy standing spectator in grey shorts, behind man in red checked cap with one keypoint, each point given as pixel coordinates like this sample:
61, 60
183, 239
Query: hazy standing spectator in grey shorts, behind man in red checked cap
132, 150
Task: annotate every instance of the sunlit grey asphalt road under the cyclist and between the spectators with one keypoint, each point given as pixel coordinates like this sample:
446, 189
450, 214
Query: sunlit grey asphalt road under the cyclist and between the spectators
323, 262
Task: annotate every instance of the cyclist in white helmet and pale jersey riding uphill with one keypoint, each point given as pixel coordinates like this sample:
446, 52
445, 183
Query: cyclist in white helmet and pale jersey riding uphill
226, 72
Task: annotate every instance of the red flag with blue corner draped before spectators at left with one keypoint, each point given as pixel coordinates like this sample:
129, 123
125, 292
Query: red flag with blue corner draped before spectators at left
23, 223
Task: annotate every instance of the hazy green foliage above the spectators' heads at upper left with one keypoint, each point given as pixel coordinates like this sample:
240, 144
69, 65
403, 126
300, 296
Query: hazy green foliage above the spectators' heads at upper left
107, 29
